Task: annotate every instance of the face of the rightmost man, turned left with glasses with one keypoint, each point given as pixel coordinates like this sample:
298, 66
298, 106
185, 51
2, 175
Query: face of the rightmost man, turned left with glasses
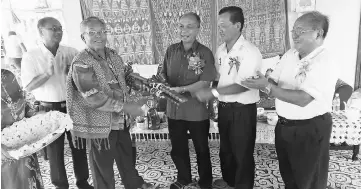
304, 37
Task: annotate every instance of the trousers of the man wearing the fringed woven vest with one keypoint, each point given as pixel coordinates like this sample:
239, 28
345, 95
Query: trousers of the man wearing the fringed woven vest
102, 161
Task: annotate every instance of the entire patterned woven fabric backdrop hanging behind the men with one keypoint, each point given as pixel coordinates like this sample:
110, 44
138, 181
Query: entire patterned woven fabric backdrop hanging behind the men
141, 30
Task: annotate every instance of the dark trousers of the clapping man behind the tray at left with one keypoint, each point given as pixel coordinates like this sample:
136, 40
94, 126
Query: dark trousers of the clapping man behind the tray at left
55, 153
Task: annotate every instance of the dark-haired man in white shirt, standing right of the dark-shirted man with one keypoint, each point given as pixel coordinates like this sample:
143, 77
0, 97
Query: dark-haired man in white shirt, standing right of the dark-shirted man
236, 60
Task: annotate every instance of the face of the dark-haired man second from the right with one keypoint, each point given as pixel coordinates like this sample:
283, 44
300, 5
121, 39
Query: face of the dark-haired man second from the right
228, 30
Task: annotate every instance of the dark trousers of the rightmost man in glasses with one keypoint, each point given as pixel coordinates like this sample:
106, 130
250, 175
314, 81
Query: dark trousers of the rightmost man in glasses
303, 152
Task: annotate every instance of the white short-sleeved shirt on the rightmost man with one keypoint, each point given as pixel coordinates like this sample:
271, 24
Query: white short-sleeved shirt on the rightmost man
319, 82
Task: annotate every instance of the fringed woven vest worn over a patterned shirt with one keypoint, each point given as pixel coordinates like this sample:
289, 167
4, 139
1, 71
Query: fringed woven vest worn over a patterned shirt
90, 123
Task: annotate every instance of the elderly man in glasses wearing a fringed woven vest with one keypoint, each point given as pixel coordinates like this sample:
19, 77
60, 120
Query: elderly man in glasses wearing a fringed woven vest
98, 103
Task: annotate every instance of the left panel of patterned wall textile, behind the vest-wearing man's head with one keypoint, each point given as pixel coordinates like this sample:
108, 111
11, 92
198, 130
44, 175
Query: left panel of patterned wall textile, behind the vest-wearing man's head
129, 24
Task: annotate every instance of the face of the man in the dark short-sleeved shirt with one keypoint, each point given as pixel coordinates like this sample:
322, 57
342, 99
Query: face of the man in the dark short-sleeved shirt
188, 29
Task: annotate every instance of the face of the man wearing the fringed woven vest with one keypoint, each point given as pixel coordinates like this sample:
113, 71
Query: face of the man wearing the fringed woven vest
94, 35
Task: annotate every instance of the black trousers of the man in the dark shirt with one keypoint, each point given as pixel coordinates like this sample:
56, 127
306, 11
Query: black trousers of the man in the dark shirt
198, 131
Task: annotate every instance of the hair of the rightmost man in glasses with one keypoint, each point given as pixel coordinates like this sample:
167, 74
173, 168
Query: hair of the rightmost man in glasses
318, 21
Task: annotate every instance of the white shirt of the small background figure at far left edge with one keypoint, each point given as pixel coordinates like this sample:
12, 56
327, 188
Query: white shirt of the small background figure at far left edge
13, 48
